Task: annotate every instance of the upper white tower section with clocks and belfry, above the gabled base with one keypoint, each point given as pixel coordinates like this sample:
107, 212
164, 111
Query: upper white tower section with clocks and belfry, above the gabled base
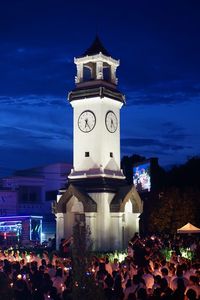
96, 103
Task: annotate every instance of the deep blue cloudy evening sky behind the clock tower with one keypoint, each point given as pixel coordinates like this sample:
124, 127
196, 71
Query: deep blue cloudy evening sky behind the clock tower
158, 44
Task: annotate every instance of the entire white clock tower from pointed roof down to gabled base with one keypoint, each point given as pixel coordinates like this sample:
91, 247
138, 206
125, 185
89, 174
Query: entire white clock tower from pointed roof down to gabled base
97, 191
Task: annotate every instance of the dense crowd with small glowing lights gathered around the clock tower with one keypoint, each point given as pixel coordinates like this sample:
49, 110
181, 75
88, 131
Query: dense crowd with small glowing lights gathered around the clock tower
144, 274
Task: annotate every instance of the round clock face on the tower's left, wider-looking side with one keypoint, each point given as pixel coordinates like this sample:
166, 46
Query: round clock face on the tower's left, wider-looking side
86, 121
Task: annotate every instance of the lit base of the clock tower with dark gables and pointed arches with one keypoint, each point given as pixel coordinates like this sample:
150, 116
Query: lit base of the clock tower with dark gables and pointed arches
111, 212
